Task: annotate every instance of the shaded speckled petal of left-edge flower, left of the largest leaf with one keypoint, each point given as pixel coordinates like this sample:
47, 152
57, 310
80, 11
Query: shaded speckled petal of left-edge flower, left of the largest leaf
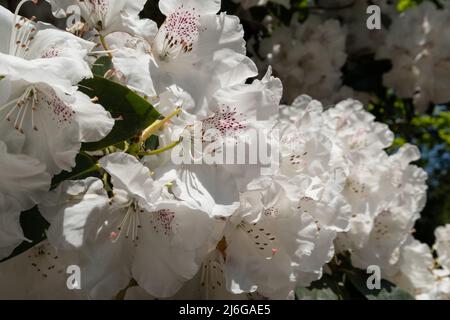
50, 132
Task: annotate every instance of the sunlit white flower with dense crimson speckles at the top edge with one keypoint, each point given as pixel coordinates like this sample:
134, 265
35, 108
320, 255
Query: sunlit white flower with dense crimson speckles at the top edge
194, 41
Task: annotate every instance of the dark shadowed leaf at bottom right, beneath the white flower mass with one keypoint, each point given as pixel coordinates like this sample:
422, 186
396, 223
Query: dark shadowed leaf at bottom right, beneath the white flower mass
388, 291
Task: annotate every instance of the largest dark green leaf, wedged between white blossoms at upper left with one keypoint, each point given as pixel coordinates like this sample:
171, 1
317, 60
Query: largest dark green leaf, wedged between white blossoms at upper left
133, 113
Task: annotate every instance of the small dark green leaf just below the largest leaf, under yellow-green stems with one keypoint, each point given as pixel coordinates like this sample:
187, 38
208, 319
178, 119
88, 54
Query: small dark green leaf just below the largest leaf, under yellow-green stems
85, 167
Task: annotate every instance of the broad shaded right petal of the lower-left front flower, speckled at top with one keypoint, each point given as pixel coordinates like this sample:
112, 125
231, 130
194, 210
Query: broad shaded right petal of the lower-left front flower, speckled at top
166, 259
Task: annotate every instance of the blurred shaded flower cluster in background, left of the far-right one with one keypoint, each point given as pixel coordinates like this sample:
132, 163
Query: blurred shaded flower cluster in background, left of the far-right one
307, 57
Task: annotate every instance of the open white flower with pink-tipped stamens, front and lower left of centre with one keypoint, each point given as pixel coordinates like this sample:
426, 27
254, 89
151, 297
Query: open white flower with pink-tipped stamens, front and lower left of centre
137, 234
